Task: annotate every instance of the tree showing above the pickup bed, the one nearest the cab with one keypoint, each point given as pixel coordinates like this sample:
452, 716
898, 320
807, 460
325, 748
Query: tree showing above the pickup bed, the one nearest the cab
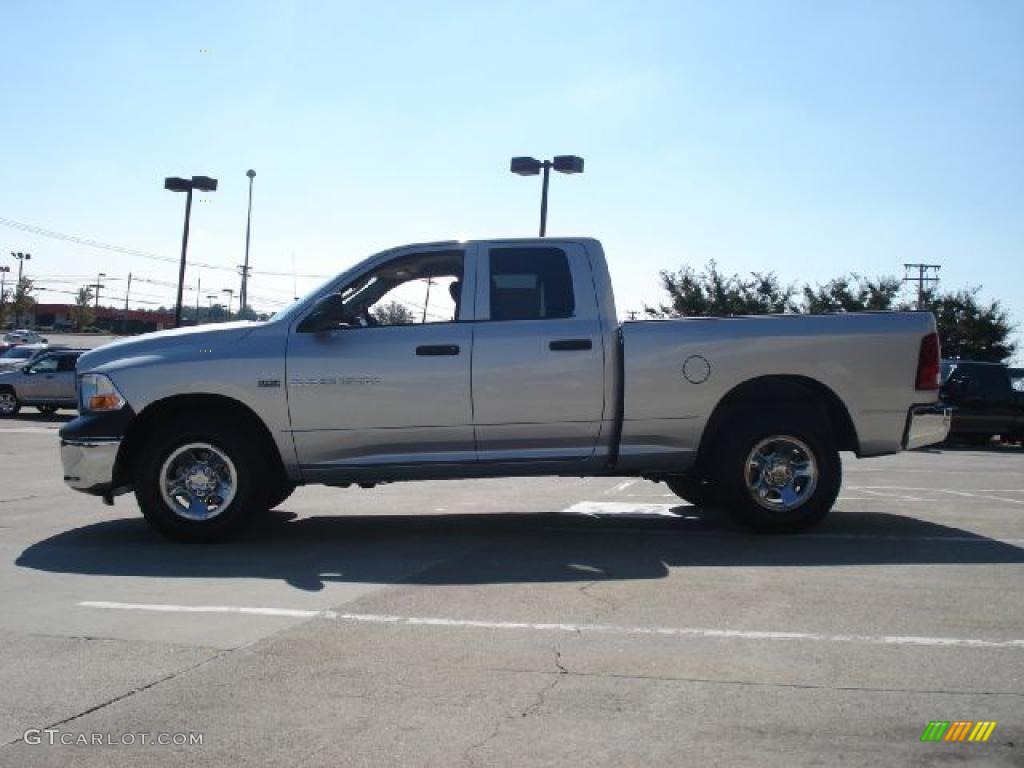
712, 293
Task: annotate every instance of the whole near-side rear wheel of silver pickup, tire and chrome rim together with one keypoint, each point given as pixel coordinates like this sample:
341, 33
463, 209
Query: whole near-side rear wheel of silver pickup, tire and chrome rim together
780, 473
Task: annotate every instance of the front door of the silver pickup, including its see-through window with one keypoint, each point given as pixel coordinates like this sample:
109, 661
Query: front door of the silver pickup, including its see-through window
390, 387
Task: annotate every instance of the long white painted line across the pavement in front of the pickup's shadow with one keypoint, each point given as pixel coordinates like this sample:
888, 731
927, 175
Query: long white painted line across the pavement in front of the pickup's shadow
682, 632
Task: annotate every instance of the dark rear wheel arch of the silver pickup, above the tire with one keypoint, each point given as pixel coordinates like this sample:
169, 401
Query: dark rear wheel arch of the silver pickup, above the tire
781, 391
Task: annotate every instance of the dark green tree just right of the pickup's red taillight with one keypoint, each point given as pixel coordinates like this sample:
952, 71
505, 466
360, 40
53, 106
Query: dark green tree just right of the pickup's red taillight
970, 329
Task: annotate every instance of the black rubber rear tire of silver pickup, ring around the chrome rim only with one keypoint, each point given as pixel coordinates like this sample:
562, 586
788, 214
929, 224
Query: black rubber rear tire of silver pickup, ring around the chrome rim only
743, 435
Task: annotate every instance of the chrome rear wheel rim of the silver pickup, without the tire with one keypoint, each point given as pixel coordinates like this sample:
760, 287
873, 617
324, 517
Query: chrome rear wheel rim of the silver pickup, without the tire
782, 474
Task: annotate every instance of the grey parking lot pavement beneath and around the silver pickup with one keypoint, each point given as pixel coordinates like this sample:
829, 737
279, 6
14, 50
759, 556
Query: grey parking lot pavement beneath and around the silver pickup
517, 622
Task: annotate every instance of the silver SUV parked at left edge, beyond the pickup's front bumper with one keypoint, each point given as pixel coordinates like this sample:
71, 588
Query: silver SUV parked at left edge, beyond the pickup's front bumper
48, 383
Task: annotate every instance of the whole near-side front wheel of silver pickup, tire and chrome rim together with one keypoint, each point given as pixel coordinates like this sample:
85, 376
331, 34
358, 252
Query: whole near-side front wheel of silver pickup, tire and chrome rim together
199, 480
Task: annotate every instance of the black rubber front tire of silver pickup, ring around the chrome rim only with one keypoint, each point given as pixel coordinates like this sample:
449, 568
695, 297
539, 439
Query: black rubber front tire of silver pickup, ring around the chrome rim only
237, 445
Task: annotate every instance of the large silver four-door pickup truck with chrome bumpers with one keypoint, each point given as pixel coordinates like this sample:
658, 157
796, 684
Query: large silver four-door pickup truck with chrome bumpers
497, 359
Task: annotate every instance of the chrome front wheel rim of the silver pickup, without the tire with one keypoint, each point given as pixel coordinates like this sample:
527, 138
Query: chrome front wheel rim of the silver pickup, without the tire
198, 482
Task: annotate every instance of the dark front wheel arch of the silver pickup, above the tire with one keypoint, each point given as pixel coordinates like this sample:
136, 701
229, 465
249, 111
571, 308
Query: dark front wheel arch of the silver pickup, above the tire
167, 409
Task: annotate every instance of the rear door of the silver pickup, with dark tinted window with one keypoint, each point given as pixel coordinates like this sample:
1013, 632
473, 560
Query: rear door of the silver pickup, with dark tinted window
538, 355
